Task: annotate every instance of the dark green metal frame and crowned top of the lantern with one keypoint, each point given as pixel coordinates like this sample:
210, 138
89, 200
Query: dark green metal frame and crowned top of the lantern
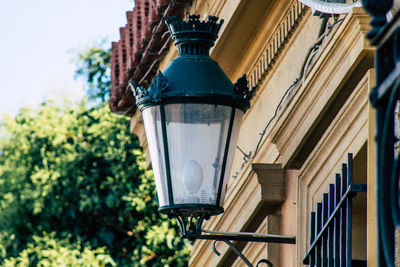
177, 85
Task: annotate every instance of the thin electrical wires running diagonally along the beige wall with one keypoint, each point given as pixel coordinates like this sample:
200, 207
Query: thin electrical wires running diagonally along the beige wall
325, 30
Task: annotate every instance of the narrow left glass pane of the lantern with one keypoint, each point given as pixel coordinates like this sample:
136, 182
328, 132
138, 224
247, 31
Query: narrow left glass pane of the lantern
152, 123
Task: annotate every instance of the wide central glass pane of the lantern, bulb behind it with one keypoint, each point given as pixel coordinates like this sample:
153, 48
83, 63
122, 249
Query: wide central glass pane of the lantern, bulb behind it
197, 135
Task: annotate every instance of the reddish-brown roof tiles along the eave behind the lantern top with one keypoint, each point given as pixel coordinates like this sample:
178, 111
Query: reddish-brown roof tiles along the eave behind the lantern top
141, 47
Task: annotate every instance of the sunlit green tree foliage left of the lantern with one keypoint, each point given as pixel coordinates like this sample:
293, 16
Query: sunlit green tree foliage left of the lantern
79, 174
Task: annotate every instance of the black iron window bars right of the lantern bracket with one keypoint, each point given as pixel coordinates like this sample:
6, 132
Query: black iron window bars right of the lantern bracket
330, 225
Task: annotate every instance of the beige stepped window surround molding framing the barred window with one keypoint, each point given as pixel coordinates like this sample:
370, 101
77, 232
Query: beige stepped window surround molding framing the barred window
320, 168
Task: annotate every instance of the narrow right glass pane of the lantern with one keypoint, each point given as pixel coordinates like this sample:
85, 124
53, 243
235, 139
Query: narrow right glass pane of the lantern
231, 151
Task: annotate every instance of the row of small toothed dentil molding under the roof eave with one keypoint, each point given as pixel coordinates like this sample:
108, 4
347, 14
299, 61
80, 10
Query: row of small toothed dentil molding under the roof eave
277, 42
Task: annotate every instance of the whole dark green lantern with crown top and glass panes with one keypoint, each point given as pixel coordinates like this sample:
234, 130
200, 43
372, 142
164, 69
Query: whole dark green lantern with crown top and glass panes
192, 114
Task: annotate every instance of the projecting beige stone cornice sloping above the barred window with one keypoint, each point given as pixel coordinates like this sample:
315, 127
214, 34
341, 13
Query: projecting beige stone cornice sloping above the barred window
323, 83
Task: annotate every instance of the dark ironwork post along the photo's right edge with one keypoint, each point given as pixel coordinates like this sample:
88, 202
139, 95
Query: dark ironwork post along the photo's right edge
384, 98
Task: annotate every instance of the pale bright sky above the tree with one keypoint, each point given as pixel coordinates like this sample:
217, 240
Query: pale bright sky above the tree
39, 41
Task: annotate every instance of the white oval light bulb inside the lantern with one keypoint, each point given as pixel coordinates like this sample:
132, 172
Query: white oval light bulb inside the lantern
192, 176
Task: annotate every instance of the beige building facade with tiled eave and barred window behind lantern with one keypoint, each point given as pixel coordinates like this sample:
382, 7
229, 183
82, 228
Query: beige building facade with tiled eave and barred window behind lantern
310, 126
